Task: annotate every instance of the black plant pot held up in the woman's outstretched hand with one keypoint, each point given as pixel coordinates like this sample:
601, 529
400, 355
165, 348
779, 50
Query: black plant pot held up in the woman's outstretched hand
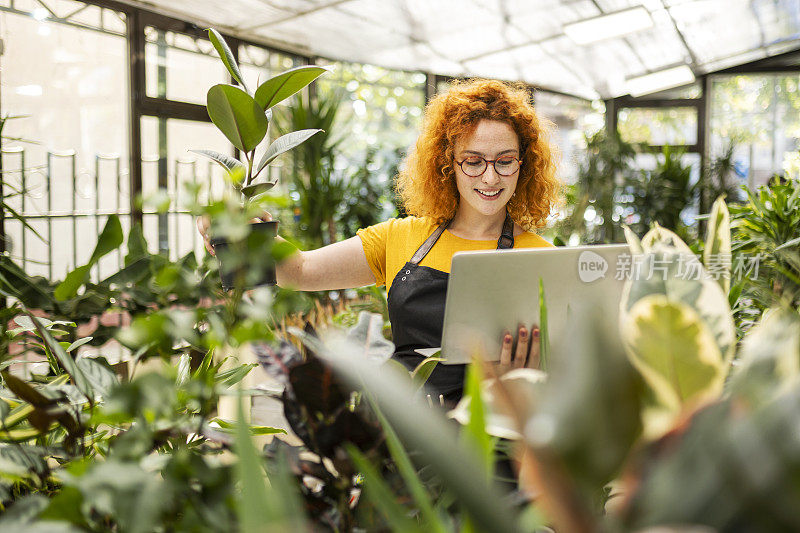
235, 264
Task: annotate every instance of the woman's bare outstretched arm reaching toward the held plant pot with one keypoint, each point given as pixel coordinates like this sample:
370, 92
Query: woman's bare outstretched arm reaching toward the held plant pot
342, 265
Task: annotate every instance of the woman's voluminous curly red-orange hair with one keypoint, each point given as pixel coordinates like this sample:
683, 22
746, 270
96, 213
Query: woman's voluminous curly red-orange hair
427, 183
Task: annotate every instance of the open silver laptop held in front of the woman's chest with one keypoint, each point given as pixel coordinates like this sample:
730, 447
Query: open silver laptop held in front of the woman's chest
490, 292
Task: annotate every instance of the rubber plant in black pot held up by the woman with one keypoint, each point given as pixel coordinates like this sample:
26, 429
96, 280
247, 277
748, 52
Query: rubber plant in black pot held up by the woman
243, 116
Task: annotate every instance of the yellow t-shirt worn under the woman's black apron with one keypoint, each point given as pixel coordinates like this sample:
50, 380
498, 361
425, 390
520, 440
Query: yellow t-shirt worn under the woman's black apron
390, 245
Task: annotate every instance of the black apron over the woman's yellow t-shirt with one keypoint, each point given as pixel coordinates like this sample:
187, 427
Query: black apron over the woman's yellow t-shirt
416, 310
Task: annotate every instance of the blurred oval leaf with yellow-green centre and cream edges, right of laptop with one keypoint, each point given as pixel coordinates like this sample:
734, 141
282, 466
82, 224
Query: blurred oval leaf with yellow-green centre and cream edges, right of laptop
672, 348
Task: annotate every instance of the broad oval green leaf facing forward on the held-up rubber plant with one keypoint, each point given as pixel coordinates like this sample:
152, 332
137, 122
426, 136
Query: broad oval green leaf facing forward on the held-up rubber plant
237, 116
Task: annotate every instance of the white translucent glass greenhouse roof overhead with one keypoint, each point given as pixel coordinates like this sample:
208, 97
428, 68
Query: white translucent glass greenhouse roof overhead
511, 39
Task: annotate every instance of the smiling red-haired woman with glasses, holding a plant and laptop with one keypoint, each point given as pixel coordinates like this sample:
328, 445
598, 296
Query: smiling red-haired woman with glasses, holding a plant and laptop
482, 176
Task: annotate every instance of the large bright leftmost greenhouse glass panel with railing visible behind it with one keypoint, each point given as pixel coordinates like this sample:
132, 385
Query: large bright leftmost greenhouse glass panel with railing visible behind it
69, 77
